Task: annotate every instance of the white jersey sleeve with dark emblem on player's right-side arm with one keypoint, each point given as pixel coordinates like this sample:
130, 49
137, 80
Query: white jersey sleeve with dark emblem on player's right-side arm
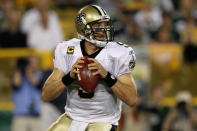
127, 62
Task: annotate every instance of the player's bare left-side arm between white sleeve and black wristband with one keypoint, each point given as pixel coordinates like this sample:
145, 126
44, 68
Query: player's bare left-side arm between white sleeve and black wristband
53, 86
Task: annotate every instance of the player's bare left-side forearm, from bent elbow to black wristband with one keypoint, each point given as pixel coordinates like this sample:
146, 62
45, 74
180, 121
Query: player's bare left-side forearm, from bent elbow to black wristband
52, 89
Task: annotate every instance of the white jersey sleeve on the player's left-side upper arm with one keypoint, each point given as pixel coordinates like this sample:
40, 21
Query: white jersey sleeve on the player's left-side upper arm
58, 58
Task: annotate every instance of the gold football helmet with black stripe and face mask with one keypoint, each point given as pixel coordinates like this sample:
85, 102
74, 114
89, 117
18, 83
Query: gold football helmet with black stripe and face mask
86, 18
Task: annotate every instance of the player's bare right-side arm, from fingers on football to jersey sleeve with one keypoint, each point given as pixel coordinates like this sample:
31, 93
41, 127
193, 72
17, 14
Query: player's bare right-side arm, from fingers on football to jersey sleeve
123, 86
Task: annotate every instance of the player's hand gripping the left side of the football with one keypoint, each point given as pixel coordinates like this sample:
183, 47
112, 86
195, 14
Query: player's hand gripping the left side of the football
75, 67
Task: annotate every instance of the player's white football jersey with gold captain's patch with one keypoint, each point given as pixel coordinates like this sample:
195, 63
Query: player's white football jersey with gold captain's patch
102, 105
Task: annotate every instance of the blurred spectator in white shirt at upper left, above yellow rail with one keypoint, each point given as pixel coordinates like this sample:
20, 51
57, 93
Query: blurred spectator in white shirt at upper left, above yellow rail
42, 27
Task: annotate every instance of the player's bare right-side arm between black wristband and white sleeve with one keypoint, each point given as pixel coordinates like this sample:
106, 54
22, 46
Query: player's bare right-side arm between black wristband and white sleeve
125, 89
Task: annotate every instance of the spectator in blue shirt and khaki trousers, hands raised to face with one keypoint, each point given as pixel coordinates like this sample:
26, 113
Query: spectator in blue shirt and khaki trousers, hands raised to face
26, 96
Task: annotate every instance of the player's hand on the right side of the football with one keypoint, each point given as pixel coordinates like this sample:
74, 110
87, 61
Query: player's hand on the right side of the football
98, 67
